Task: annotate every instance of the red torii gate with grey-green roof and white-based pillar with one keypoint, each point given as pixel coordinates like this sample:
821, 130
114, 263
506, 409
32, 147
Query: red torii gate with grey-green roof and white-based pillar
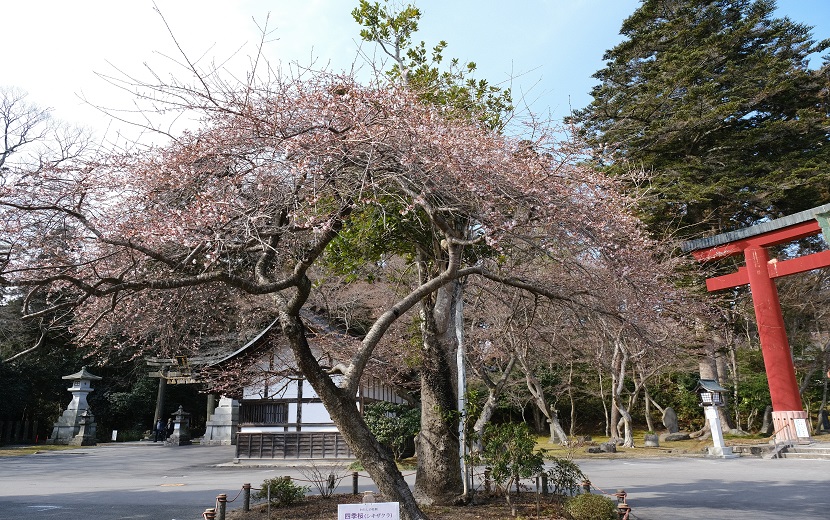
789, 418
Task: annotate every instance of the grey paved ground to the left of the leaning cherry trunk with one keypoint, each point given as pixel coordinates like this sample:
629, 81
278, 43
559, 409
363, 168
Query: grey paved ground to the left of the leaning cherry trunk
125, 481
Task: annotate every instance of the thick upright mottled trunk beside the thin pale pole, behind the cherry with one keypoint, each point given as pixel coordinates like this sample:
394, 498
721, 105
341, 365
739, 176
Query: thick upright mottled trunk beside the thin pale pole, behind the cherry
438, 479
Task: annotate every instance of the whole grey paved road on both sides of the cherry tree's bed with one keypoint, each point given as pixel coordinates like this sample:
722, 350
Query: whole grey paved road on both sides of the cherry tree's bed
150, 481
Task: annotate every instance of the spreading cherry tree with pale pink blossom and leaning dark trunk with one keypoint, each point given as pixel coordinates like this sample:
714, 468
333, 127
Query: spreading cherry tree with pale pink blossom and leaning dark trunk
250, 202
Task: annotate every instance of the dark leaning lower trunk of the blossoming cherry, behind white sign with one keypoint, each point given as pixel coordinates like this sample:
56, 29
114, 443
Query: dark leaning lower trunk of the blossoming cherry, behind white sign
376, 459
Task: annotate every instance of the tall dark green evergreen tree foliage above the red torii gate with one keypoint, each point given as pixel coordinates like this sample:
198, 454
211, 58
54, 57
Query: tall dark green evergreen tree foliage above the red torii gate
715, 99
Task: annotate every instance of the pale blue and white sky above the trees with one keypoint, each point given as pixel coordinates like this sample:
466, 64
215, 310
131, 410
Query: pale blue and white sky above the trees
546, 50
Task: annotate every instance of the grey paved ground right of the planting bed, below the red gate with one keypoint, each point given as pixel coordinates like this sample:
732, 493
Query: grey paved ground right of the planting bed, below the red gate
714, 489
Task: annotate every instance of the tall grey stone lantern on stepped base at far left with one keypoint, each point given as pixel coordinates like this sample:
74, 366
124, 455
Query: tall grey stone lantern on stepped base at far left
77, 424
